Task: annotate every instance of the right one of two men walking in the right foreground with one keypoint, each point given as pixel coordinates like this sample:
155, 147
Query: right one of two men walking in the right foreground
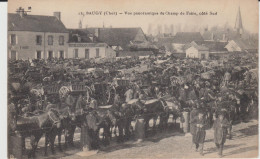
220, 132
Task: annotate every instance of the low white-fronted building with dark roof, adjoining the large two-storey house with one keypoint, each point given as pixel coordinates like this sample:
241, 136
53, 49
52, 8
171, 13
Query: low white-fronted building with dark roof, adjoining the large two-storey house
83, 44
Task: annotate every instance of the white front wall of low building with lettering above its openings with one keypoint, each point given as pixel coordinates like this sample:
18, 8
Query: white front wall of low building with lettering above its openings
104, 50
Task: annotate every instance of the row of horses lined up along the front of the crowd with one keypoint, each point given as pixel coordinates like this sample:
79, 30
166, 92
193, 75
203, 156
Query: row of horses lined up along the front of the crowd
57, 120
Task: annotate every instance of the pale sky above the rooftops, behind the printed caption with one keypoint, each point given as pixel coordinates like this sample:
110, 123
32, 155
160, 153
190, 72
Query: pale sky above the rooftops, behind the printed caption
70, 9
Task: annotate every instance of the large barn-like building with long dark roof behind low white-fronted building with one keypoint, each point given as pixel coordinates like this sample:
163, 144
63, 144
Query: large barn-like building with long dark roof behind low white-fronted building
119, 38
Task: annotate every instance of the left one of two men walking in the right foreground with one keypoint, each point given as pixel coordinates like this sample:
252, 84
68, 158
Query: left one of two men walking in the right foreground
200, 133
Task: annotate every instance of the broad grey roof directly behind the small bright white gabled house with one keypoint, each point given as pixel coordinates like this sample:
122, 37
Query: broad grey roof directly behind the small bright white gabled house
187, 37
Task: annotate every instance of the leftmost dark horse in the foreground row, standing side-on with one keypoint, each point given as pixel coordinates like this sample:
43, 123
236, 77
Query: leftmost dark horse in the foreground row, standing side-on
37, 125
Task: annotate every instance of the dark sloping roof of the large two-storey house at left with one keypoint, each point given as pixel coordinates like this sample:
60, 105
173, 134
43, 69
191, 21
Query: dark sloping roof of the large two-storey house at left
35, 23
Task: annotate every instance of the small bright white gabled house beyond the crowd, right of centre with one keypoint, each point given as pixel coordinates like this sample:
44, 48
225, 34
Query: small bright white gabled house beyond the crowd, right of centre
197, 51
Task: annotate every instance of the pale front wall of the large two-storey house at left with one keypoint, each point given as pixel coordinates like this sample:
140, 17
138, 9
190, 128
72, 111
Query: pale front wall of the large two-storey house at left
26, 46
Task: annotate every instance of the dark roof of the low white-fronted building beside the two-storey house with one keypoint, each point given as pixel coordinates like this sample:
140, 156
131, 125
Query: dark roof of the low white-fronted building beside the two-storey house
84, 35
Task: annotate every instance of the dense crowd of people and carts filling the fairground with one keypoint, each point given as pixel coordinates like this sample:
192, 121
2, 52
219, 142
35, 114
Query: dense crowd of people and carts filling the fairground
216, 92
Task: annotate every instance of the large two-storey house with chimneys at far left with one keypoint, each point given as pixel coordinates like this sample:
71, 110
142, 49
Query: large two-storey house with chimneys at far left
36, 36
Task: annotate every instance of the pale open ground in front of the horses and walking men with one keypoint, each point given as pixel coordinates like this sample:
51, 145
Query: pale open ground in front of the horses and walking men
173, 144
